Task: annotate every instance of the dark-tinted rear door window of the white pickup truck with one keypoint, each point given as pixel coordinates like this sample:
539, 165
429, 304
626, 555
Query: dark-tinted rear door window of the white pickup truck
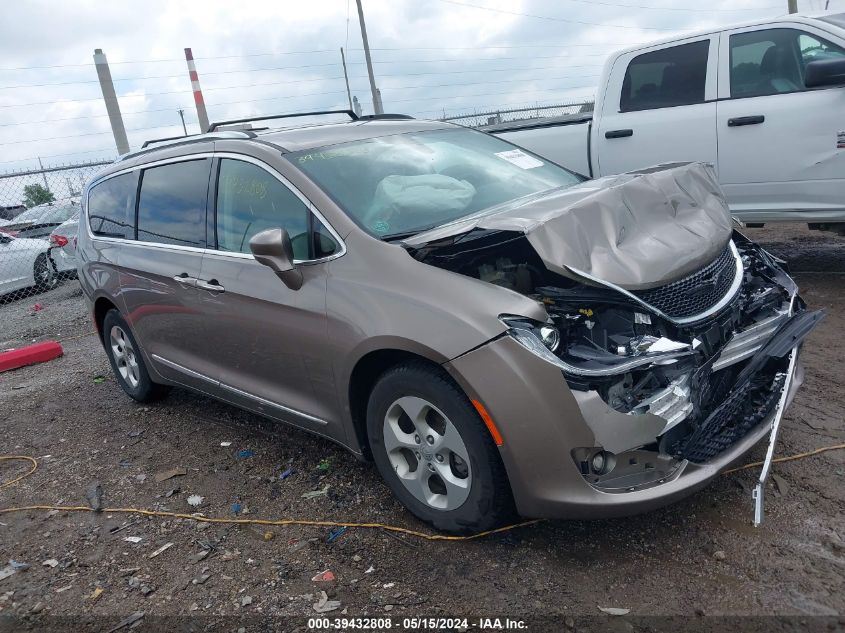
665, 78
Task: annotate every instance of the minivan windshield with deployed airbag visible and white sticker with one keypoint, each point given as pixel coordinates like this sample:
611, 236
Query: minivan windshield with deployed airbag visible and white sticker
405, 183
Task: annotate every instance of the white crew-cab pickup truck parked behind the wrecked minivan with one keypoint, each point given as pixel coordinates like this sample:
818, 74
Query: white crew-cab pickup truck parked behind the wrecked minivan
764, 102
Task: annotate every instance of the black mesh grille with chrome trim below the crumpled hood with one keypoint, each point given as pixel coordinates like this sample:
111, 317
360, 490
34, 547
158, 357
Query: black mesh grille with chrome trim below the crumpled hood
695, 293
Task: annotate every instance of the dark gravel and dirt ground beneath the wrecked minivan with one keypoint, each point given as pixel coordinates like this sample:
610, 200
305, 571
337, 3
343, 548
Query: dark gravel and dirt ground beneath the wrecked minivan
695, 558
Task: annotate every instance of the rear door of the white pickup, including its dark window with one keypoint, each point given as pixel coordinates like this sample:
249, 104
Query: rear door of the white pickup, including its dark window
659, 107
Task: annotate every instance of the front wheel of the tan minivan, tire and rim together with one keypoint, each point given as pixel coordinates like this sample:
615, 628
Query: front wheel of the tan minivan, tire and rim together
434, 451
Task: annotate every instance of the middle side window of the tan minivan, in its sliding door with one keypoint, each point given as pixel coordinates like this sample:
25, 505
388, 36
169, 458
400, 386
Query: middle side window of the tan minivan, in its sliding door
171, 208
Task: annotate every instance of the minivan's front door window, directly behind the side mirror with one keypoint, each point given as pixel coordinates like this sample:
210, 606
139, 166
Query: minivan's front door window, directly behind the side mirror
251, 200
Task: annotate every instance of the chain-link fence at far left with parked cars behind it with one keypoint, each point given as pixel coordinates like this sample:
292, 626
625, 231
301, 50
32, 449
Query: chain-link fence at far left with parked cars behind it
39, 211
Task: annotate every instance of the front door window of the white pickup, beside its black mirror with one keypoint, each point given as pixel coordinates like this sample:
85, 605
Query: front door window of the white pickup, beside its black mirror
772, 61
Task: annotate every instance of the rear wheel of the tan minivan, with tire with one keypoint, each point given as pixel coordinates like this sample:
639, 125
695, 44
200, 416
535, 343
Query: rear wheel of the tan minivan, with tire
127, 362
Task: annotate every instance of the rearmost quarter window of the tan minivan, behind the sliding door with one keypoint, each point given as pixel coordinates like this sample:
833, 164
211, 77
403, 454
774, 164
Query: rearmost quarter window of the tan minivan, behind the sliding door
111, 207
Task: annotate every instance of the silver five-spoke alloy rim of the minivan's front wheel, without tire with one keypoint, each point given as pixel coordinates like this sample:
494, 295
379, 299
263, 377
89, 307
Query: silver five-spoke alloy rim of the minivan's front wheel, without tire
427, 453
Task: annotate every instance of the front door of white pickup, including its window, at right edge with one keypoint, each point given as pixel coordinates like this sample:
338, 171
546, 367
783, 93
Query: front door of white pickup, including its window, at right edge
781, 145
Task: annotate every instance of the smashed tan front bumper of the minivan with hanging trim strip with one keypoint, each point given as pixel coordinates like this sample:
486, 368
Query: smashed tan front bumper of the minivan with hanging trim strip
720, 396
